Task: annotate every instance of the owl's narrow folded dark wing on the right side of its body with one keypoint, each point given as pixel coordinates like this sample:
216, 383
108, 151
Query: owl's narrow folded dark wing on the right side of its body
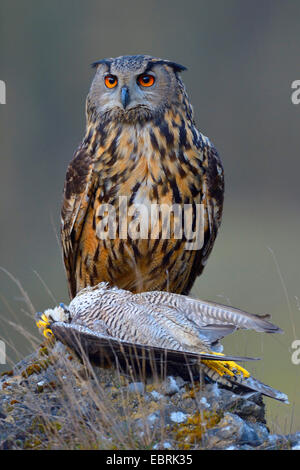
213, 185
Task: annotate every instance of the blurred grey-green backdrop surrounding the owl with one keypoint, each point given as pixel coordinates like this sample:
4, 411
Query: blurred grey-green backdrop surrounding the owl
242, 58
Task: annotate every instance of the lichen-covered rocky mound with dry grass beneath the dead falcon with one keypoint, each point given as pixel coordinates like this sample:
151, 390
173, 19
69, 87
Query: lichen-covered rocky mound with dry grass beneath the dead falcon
52, 401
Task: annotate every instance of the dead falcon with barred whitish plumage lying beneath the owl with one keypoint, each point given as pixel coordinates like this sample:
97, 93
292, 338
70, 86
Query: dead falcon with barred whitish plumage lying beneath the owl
103, 320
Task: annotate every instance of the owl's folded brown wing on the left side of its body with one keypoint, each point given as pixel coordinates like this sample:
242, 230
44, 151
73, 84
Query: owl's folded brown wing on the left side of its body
78, 191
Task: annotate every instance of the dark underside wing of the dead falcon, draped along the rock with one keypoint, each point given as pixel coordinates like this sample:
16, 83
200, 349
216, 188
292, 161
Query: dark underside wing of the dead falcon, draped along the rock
102, 350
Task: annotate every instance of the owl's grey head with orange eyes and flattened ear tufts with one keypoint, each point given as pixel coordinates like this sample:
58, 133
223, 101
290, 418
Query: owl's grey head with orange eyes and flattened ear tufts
134, 88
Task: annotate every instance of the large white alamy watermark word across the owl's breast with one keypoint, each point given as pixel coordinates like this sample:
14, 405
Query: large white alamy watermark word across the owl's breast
152, 221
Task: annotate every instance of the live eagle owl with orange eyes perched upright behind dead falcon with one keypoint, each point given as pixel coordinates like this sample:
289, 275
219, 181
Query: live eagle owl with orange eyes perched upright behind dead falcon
141, 149
